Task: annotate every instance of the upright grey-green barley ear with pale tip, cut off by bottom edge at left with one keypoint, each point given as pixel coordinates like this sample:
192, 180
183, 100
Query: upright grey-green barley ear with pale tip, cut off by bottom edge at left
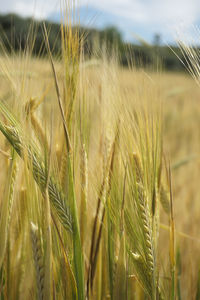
38, 260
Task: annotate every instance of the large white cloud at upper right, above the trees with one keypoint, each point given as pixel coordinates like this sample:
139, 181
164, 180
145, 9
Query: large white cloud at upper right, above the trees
165, 16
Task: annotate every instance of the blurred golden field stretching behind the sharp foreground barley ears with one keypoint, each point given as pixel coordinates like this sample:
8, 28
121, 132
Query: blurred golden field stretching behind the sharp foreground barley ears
106, 85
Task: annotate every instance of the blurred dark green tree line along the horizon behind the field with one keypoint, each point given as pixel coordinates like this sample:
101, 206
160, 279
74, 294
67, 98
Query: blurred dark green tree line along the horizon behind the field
18, 33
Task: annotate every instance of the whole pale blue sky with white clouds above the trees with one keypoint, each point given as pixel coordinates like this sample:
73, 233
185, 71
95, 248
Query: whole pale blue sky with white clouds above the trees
143, 18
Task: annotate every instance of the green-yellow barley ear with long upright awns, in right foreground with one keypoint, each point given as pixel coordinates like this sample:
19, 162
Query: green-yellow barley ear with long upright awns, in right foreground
141, 211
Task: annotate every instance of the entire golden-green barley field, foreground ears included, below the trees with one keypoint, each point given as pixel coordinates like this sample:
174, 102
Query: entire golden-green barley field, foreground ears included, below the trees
100, 173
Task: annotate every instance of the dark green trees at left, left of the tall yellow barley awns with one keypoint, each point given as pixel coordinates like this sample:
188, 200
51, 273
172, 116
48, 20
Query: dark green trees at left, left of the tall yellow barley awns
17, 34
